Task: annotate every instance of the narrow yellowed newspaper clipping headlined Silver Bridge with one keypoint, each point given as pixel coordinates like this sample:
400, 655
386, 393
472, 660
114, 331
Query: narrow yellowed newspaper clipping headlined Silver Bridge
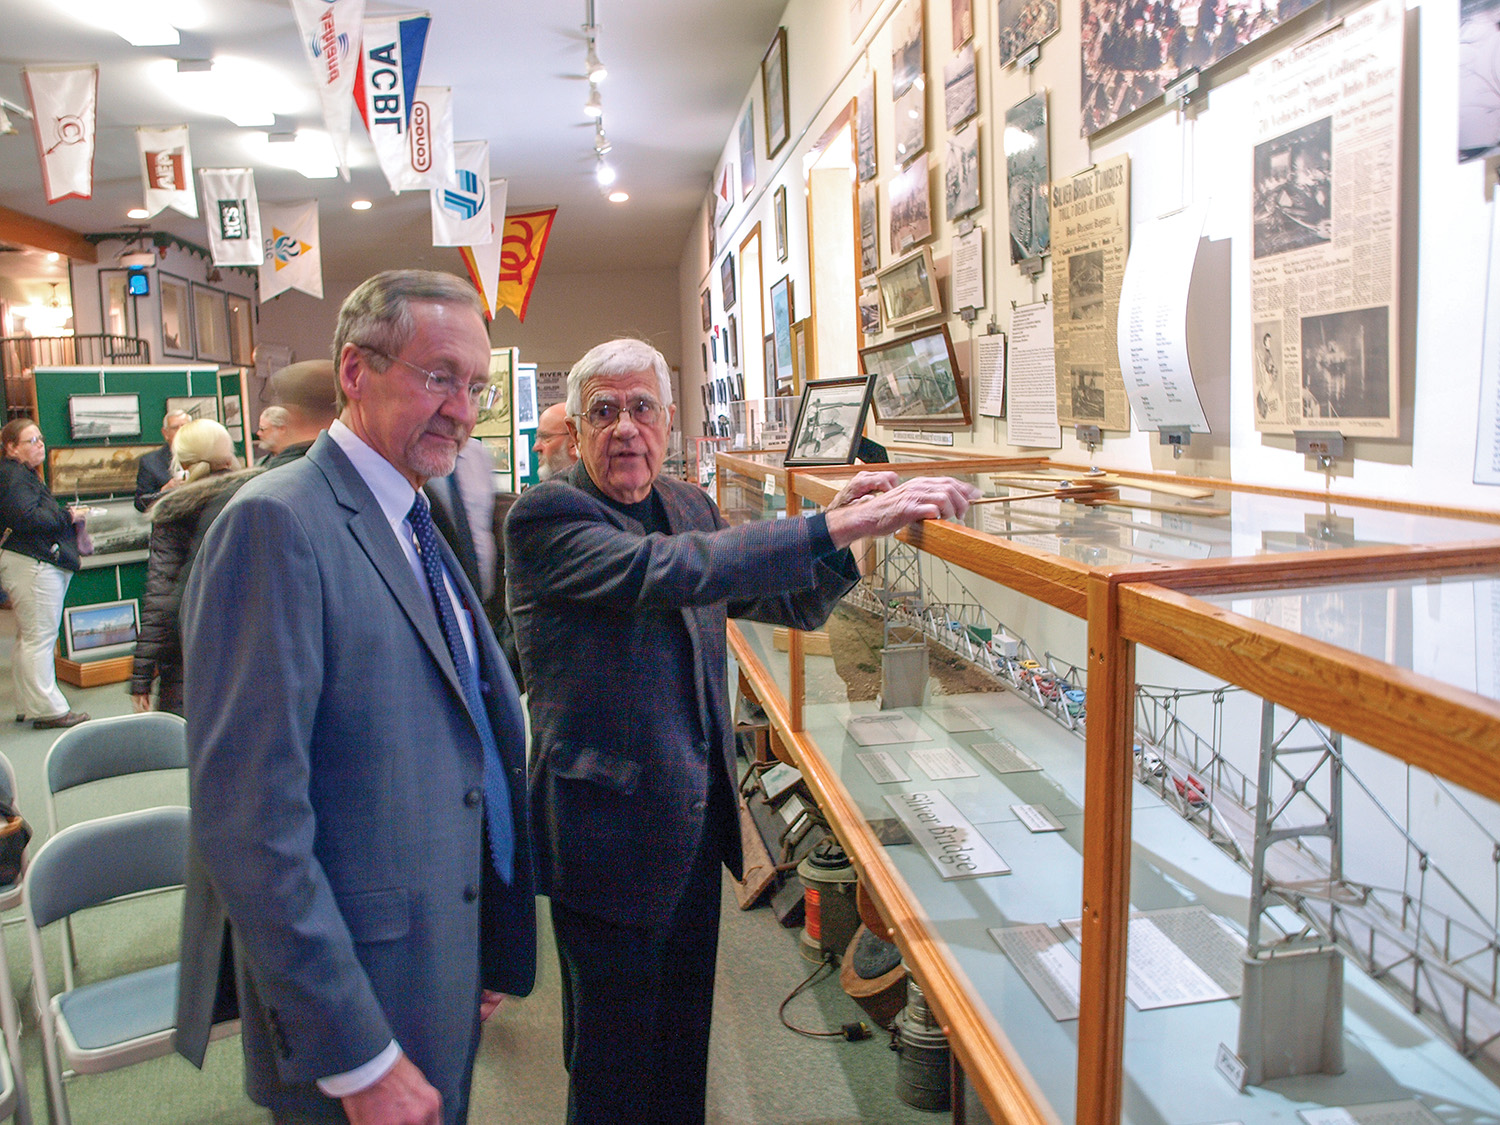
1090, 244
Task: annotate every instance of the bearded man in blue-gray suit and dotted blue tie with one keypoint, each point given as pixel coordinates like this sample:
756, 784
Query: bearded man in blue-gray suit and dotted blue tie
356, 745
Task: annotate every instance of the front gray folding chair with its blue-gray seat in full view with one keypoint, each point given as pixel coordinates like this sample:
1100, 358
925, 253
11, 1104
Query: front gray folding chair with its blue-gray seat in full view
121, 1021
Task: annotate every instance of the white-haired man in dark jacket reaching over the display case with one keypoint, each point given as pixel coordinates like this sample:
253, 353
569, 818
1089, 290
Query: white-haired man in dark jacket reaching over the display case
619, 586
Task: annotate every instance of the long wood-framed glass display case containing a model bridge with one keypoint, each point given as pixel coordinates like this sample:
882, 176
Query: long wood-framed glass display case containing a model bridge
1112, 746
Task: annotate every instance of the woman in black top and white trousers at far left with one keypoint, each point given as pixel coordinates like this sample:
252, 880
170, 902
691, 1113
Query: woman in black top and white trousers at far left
37, 565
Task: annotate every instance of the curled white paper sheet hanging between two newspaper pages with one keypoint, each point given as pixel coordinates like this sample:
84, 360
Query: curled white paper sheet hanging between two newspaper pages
1153, 334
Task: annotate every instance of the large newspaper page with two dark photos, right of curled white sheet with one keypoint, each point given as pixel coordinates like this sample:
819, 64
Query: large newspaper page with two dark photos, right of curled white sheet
1327, 230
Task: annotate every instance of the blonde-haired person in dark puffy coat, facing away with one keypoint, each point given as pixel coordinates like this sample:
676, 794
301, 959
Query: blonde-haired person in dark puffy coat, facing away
203, 454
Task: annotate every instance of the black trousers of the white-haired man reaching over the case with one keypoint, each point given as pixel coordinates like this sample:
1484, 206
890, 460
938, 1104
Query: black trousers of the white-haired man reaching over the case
637, 1007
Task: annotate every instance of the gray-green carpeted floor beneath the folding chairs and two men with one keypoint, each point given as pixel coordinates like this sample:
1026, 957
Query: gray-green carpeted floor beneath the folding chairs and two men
758, 1072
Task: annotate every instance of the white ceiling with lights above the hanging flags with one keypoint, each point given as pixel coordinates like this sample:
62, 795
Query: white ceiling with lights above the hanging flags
679, 73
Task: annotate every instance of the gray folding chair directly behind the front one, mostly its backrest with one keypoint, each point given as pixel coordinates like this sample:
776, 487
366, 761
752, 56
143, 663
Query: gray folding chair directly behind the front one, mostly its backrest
103, 749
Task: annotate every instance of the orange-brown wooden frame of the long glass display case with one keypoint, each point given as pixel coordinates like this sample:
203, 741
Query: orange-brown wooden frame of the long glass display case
1454, 734
